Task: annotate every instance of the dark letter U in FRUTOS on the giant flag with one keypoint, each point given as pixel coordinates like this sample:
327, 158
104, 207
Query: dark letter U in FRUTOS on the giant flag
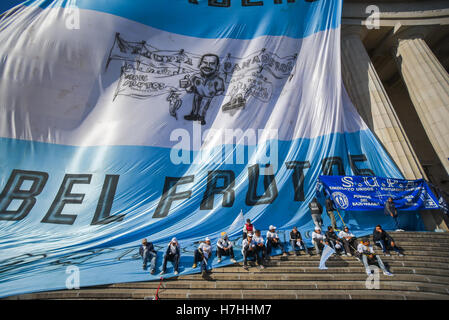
271, 191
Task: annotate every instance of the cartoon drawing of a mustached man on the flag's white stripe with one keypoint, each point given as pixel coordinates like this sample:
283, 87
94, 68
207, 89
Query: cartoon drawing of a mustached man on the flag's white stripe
205, 85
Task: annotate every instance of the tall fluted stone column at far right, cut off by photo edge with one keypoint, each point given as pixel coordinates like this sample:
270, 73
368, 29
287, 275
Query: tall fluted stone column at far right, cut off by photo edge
427, 84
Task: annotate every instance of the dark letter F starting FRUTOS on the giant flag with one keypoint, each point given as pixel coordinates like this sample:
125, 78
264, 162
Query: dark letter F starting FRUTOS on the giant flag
169, 194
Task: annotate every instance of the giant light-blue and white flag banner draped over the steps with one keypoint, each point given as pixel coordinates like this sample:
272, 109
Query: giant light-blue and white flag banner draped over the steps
123, 120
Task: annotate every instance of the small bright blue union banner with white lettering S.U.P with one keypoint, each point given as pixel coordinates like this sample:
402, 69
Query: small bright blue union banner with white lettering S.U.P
371, 193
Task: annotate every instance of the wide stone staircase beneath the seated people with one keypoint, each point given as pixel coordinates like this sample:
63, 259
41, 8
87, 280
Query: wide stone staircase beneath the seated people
423, 273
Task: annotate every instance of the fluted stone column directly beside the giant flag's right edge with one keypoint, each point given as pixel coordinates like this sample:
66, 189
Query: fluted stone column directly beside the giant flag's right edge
371, 100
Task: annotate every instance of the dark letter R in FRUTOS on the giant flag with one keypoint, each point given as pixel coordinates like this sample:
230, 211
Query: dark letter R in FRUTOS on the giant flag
227, 190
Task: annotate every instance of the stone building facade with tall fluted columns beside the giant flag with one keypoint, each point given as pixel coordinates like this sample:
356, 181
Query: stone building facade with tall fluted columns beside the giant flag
395, 62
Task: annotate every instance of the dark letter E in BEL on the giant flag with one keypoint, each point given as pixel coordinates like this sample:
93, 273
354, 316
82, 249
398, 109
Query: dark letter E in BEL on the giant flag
65, 196
